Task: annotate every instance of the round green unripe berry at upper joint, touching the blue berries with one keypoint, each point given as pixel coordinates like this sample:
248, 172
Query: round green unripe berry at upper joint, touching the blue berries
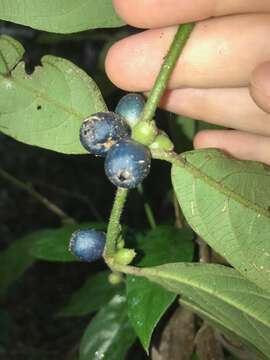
145, 132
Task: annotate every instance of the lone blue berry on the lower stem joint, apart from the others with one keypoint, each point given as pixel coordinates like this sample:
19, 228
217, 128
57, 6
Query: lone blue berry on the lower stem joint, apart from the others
87, 245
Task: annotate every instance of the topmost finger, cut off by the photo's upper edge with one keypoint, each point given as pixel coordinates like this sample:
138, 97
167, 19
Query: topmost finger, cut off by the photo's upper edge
161, 13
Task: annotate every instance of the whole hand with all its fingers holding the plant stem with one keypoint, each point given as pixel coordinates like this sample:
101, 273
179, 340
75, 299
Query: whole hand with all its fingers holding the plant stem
222, 76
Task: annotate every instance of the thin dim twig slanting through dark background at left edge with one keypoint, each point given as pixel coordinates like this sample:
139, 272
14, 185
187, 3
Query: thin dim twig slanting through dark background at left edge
66, 219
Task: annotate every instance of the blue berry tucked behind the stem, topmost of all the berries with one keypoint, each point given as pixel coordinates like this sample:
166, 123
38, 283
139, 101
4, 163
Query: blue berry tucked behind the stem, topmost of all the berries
130, 107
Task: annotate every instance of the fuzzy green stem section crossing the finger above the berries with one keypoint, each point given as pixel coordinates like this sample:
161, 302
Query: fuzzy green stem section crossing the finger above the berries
170, 60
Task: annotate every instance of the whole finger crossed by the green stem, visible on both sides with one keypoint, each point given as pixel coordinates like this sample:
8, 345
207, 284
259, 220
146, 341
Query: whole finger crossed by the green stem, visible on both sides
221, 52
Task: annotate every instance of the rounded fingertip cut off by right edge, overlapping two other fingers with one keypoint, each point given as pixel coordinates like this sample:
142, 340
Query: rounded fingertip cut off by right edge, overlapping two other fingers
260, 86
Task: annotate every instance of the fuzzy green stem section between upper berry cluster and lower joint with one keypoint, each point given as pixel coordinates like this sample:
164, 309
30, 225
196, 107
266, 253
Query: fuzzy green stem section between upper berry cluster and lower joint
114, 228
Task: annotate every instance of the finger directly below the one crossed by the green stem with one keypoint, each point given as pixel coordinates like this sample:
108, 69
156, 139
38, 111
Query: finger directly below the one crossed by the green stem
229, 107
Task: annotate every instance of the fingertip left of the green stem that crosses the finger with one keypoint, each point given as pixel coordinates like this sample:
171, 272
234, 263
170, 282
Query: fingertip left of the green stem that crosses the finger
133, 63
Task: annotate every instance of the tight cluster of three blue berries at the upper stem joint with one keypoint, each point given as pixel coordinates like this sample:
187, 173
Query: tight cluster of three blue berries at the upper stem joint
108, 134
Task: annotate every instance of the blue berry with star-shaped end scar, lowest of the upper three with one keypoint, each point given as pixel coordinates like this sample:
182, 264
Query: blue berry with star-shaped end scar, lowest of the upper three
127, 163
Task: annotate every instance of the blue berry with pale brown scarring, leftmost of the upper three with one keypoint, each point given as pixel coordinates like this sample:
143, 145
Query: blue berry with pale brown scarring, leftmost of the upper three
101, 131
